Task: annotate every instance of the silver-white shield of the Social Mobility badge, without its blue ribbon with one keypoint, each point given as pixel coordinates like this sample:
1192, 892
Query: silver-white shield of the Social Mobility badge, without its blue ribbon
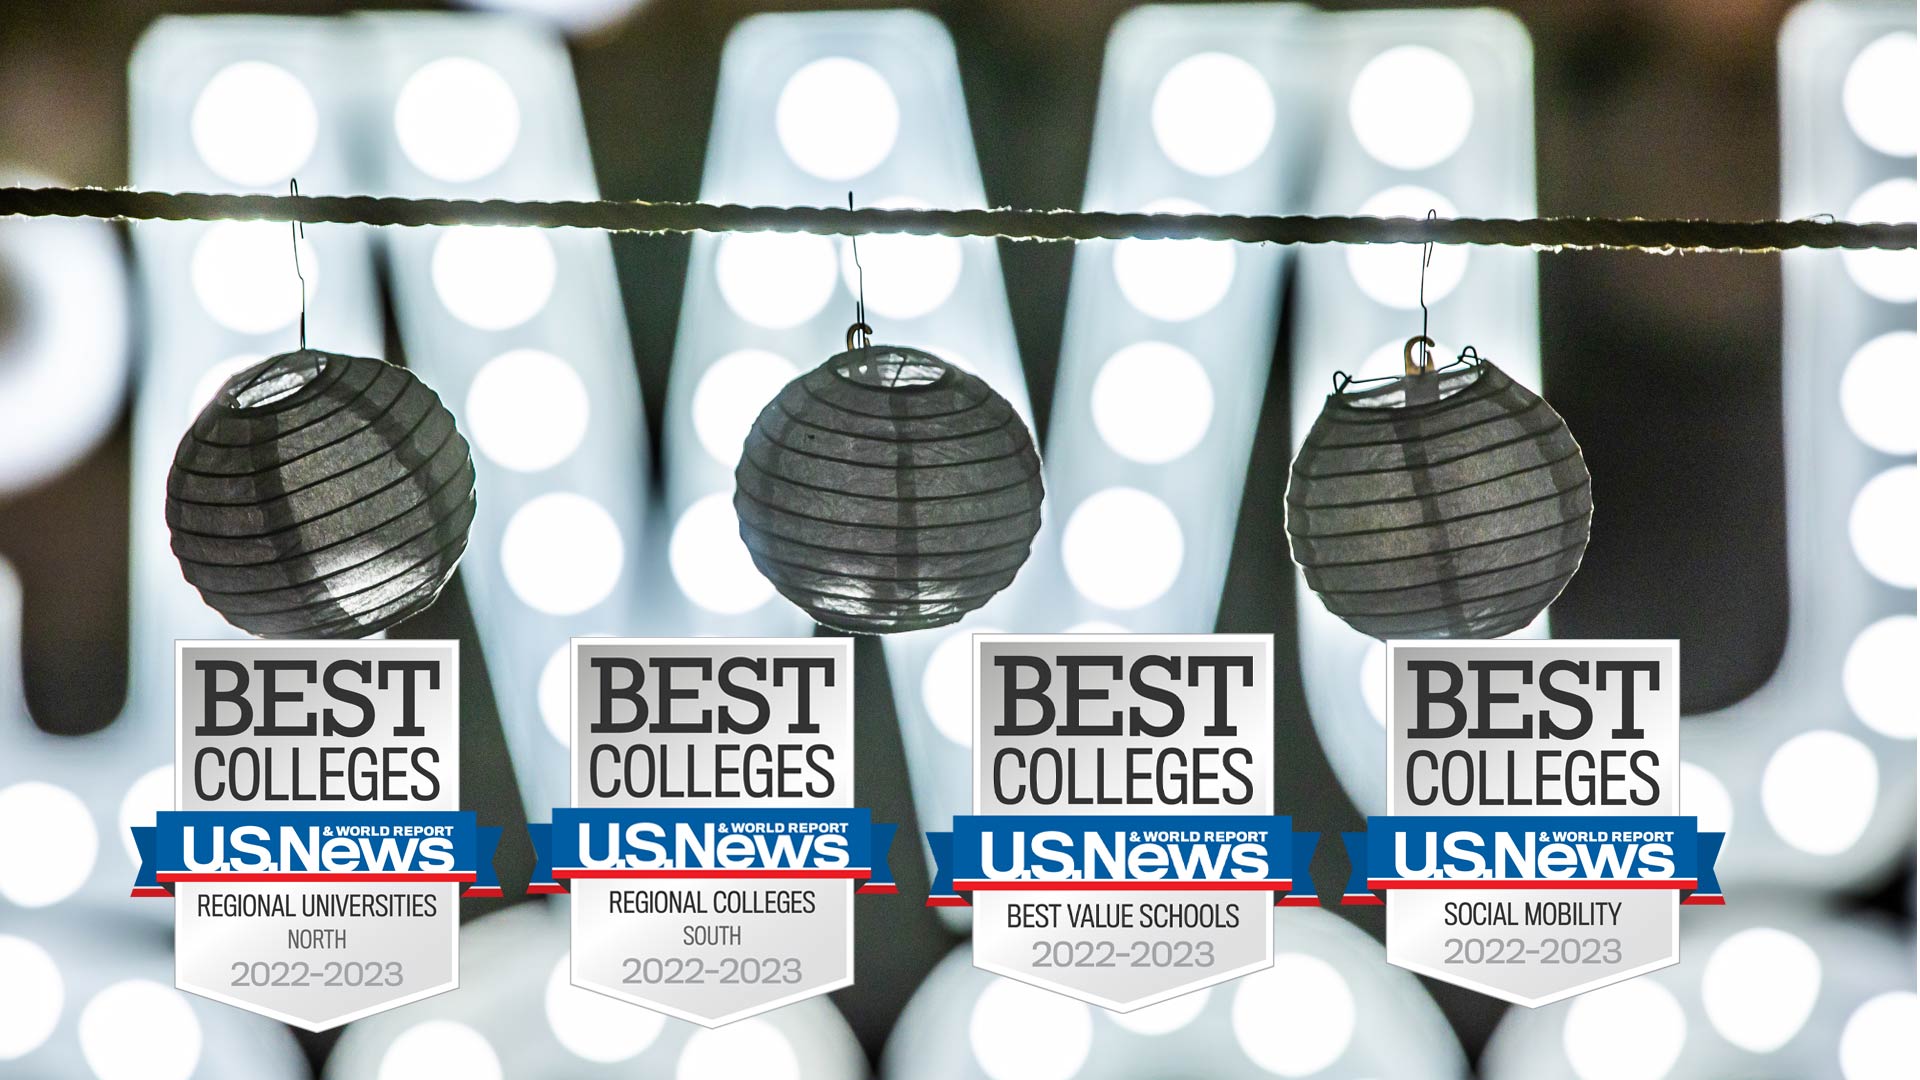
1648, 921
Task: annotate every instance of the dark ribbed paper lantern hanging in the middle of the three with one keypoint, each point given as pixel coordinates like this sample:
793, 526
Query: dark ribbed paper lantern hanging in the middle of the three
888, 491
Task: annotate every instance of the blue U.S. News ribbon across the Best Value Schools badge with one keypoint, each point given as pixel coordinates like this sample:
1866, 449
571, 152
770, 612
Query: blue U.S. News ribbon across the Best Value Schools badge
1132, 852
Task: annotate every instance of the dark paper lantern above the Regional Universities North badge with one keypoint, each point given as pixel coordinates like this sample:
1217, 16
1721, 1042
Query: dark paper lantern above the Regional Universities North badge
322, 497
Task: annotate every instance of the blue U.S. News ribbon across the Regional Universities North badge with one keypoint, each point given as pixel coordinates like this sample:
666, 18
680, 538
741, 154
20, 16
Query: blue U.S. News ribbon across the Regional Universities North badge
316, 847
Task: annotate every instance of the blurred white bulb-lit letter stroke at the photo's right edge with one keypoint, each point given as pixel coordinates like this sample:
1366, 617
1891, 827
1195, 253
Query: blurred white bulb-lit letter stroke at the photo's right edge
1815, 772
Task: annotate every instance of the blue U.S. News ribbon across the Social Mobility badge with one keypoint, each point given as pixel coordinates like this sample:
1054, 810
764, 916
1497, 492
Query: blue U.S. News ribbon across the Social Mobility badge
1533, 854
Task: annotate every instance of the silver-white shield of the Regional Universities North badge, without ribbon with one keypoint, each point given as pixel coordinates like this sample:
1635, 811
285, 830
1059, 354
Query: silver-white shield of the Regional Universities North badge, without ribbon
206, 948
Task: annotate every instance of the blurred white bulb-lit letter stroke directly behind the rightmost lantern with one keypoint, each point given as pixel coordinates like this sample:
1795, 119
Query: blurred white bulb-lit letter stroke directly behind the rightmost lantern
1429, 110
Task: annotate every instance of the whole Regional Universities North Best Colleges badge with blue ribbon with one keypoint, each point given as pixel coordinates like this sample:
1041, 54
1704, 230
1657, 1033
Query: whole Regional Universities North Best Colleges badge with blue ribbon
318, 850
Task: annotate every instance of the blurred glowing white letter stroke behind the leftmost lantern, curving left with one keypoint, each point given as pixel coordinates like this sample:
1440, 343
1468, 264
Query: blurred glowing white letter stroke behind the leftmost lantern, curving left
216, 107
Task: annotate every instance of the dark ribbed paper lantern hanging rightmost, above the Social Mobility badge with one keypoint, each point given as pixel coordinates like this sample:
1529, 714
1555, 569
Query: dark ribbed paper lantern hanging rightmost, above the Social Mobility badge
1451, 504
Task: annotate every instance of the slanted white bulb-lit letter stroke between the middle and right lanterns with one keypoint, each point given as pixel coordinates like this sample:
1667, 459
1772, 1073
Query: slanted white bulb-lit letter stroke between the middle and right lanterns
1163, 366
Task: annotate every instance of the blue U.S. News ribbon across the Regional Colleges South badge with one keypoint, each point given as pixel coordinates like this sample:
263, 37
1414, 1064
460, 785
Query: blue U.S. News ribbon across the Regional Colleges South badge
690, 845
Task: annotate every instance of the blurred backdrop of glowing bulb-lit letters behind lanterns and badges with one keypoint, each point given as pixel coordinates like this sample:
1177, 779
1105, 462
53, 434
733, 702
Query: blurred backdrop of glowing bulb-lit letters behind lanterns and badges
1748, 422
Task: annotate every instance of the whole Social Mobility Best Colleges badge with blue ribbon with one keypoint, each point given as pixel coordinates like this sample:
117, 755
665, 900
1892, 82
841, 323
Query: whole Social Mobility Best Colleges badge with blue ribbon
1533, 845
